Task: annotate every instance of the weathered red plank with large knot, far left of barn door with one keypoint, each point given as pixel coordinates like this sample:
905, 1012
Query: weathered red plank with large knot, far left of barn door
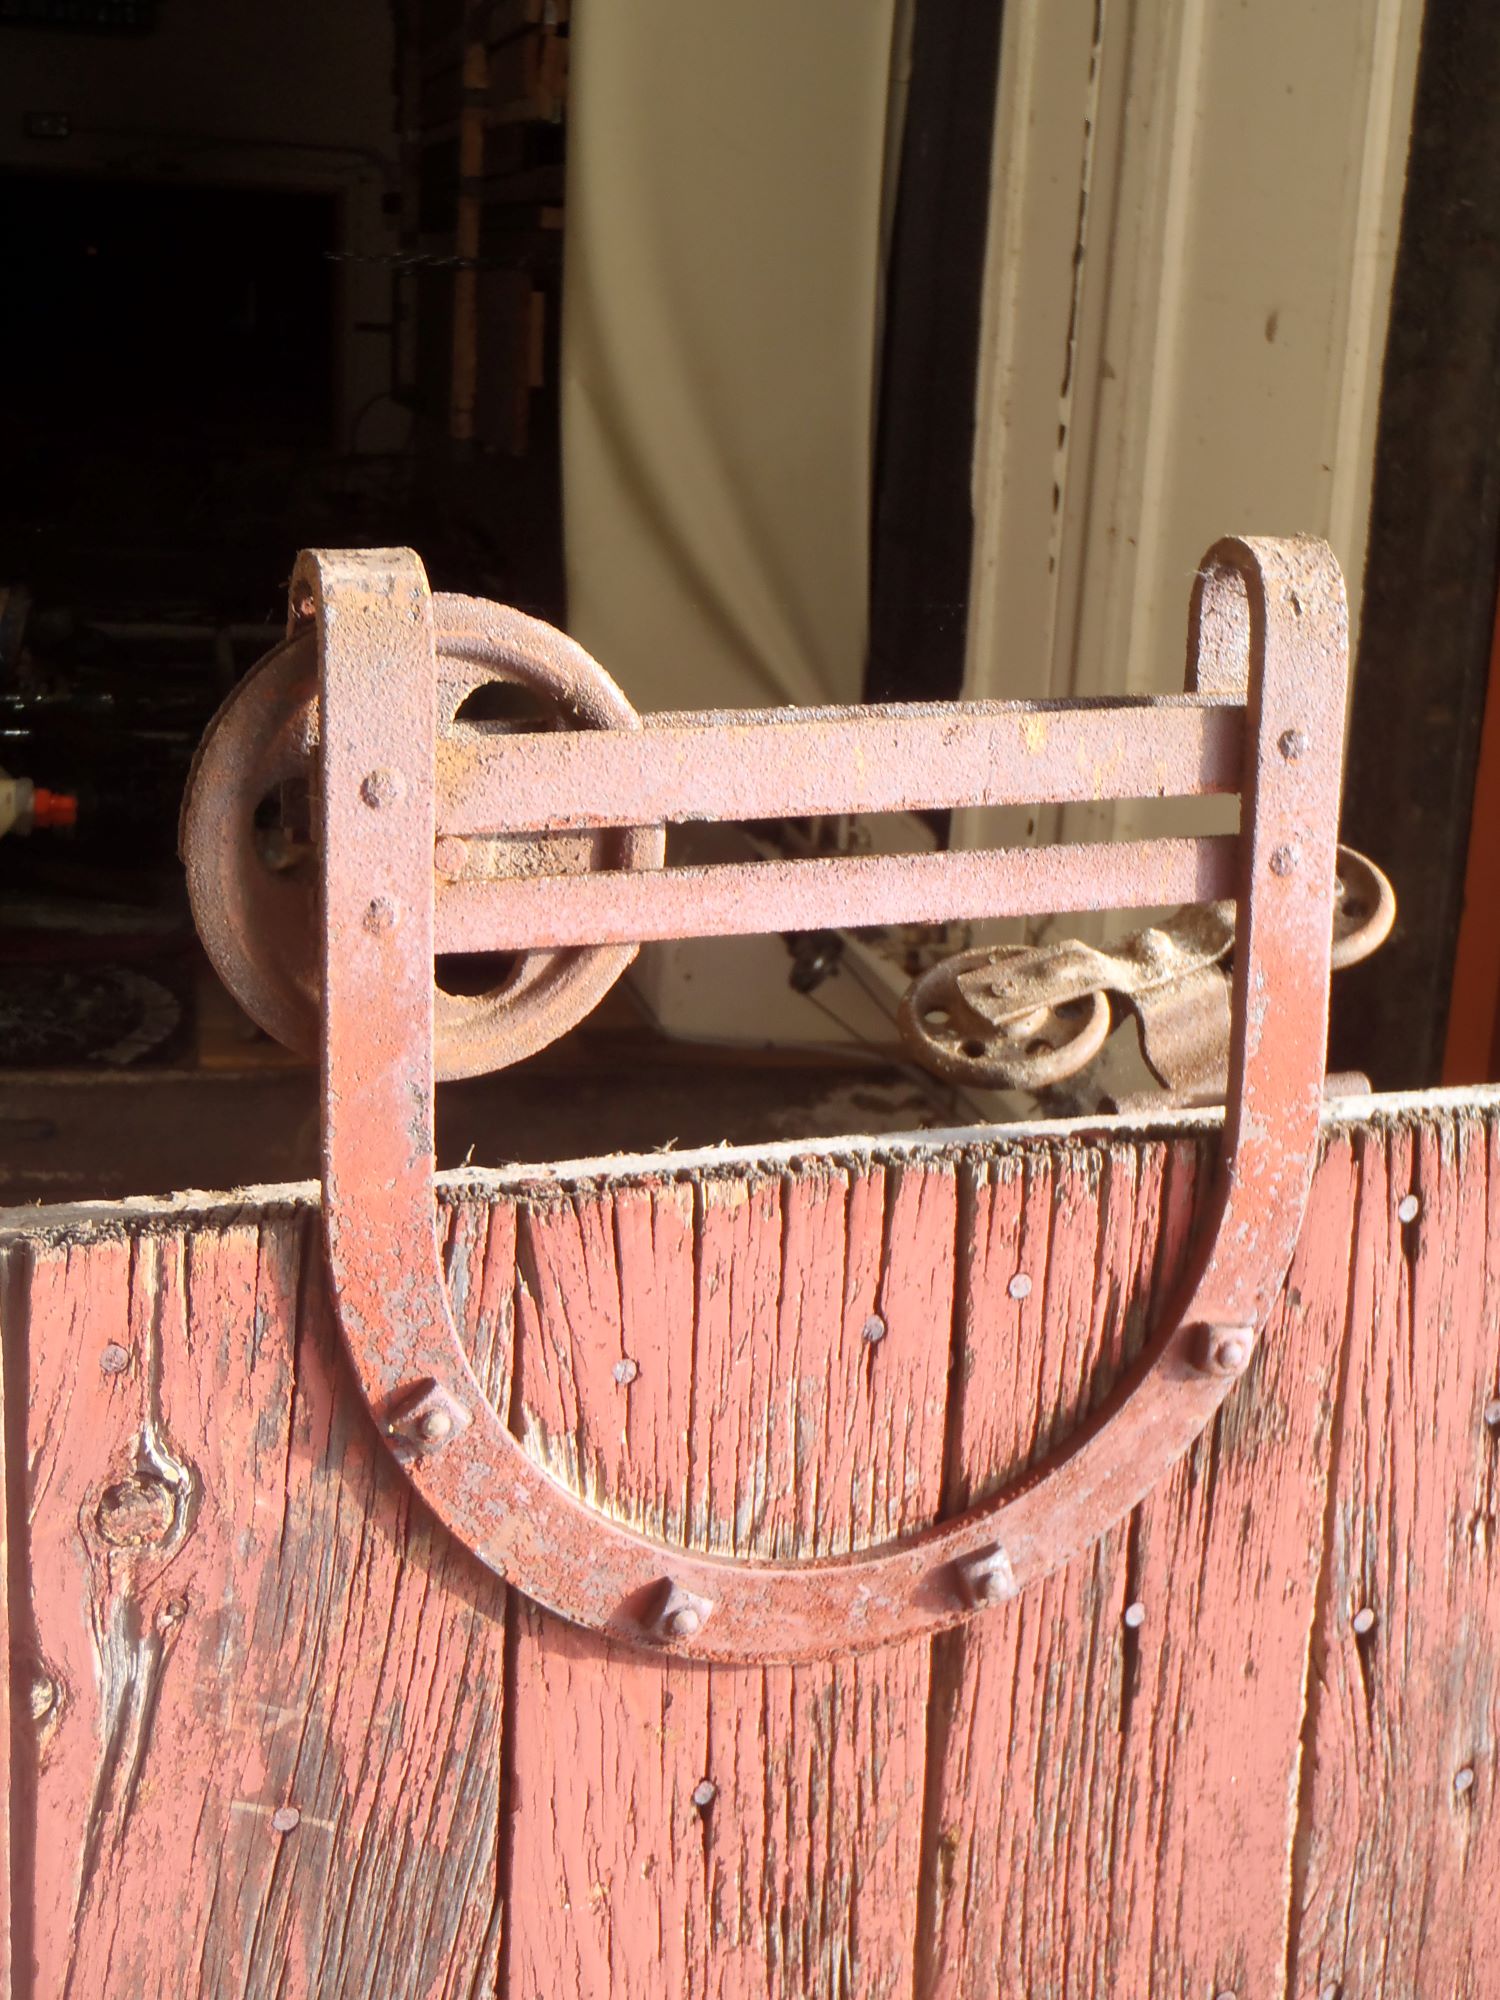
275, 1681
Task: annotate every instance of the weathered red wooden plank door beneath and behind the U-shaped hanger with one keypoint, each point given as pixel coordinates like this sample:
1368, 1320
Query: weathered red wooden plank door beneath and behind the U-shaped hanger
275, 1733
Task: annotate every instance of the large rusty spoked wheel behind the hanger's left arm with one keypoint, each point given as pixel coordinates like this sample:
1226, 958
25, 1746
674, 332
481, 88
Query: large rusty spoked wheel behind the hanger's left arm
253, 871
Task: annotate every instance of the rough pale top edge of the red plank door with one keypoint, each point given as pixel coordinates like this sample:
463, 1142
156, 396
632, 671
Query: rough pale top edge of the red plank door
135, 1215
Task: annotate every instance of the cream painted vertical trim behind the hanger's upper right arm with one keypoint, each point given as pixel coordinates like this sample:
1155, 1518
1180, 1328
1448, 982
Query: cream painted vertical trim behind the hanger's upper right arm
1193, 235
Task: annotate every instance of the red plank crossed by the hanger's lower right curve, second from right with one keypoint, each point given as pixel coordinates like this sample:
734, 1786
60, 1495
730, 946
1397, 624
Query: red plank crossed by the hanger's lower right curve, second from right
1139, 1839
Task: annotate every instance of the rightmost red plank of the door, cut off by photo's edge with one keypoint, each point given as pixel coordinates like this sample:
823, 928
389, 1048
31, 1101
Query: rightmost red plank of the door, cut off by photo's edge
1401, 1841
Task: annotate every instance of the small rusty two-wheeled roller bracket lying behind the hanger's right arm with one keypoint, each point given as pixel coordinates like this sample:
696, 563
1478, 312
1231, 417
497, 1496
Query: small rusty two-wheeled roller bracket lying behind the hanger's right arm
1031, 1017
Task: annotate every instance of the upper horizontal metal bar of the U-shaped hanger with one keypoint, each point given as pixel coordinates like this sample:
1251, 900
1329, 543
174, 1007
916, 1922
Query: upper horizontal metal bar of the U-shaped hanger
771, 765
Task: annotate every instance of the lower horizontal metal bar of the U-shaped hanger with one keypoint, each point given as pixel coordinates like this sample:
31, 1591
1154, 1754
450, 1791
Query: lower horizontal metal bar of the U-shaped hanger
747, 899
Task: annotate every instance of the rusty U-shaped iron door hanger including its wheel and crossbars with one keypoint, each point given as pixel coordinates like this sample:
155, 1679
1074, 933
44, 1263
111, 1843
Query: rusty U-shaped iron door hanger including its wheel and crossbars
431, 833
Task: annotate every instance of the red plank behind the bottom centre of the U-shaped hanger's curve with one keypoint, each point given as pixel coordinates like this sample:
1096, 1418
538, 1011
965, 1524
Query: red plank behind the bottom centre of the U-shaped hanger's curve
731, 1831
